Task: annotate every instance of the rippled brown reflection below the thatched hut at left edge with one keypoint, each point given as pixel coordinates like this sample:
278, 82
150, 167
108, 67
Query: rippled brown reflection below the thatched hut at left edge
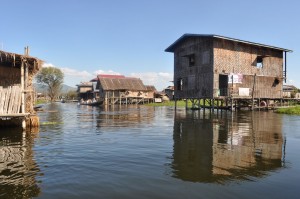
18, 169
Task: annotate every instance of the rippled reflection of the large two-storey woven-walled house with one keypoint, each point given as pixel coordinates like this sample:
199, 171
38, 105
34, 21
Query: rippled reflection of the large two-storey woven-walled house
218, 149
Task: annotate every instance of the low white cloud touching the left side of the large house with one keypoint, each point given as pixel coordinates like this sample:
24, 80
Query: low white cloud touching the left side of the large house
160, 80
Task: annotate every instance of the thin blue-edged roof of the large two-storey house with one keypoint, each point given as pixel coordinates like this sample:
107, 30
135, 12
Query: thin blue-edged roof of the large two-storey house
185, 36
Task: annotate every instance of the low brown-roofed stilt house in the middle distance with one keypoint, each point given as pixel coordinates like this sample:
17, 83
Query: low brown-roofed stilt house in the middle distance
118, 89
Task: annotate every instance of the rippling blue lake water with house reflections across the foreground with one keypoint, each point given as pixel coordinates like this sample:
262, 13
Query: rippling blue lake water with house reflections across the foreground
151, 152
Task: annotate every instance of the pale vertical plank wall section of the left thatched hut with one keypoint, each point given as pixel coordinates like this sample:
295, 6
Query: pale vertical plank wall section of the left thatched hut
10, 99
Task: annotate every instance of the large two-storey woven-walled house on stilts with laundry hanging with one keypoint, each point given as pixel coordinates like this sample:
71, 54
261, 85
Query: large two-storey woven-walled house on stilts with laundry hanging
225, 72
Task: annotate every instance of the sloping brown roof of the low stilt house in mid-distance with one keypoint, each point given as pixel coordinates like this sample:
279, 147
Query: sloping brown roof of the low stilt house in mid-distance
121, 83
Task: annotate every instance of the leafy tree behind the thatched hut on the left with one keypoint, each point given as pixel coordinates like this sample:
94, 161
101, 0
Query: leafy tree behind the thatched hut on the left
52, 78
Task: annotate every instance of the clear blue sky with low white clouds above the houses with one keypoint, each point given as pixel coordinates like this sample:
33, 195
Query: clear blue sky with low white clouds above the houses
86, 37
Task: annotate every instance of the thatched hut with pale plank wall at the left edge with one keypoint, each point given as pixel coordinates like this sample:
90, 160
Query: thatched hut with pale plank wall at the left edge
16, 90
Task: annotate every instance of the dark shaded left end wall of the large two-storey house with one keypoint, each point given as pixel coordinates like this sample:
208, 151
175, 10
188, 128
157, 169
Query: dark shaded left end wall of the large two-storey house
198, 78
